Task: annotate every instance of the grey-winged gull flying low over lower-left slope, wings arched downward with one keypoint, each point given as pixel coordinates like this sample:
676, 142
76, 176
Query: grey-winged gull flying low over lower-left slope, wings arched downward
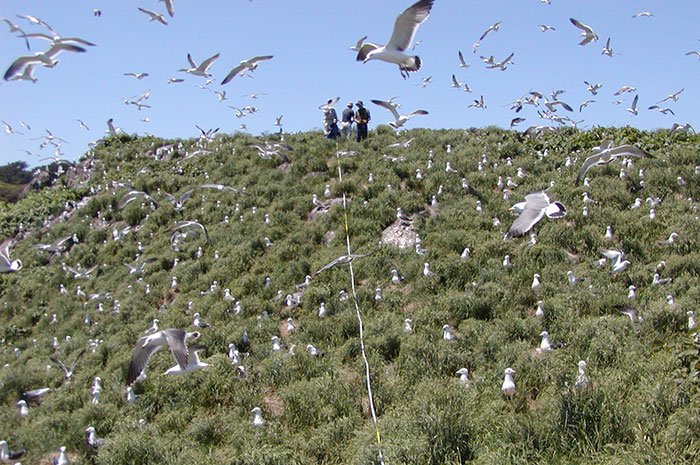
174, 339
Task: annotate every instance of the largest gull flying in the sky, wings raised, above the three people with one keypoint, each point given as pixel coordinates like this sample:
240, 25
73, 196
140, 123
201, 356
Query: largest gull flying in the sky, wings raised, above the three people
401, 38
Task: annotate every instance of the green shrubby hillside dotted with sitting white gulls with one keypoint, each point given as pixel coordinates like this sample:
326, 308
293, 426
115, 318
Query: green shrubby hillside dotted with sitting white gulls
642, 405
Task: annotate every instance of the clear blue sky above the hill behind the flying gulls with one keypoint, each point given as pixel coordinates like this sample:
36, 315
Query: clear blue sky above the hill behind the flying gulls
309, 40
